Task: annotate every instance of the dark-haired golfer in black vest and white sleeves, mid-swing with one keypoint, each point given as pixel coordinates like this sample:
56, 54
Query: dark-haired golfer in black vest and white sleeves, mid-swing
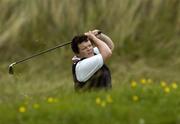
92, 50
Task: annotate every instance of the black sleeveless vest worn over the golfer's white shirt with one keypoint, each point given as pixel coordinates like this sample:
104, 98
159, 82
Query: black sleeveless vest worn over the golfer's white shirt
100, 80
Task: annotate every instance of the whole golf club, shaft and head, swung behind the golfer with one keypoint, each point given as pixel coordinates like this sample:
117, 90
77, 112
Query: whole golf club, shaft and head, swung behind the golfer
11, 71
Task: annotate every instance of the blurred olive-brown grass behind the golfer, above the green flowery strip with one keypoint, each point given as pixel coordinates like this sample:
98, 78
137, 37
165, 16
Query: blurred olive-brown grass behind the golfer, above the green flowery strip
146, 34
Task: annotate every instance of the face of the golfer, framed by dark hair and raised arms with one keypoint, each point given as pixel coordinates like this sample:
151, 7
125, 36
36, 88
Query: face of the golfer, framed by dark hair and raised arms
85, 50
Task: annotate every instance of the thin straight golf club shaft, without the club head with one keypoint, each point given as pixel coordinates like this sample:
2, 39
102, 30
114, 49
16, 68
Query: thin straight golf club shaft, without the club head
40, 53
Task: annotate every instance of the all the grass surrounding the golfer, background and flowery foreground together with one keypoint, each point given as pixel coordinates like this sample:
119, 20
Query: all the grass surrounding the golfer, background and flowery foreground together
146, 37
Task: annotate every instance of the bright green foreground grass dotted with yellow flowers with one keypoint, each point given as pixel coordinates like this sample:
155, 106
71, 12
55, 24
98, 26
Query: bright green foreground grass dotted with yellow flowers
146, 102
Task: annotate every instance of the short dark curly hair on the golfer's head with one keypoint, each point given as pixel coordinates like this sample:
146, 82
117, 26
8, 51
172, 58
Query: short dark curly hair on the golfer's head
76, 41
